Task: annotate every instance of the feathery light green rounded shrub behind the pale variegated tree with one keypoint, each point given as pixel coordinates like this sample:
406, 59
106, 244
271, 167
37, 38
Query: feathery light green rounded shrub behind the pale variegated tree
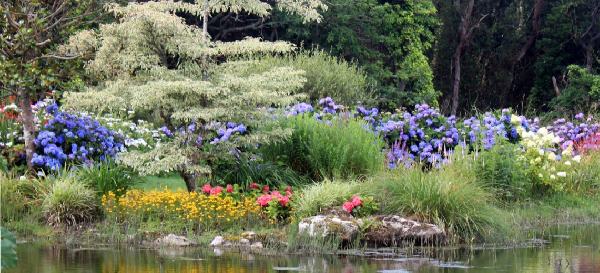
326, 75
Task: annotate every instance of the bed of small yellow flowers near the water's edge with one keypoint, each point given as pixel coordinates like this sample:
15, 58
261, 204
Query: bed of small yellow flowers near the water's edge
208, 210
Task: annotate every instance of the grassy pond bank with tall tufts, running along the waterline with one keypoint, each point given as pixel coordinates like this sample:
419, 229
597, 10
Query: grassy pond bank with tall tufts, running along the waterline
470, 214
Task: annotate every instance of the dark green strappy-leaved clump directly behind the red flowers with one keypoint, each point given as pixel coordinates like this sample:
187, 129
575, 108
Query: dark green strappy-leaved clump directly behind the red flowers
244, 171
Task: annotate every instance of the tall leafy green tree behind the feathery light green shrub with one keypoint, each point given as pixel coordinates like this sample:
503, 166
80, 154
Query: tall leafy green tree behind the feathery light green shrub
391, 40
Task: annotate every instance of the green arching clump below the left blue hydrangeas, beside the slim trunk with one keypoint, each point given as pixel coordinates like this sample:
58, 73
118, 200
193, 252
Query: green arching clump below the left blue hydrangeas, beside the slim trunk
108, 177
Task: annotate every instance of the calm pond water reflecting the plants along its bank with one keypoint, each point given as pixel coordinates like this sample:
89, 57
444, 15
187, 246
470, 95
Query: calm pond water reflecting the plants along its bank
574, 249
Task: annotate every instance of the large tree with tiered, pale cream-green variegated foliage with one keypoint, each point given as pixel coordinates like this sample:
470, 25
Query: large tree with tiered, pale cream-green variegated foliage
151, 62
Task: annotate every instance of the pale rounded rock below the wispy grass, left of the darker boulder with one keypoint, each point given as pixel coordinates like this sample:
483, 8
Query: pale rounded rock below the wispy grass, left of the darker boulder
344, 228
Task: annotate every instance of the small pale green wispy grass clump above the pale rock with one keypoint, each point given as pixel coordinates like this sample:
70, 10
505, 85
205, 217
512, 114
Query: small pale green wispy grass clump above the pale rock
325, 195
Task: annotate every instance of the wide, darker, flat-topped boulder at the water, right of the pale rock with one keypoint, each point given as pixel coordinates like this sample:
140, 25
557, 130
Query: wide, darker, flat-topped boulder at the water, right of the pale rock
393, 230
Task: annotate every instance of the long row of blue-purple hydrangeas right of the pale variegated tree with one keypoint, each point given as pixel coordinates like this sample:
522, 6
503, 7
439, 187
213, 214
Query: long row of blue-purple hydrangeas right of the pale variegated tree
425, 136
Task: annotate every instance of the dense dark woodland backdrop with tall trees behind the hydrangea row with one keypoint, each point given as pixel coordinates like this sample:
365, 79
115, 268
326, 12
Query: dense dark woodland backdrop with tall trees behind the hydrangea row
461, 55
